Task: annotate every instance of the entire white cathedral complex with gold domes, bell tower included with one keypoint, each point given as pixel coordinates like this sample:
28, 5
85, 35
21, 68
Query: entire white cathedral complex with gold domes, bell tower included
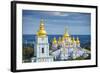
64, 48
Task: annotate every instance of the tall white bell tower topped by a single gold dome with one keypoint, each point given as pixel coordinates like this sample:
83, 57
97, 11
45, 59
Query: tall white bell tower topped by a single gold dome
42, 45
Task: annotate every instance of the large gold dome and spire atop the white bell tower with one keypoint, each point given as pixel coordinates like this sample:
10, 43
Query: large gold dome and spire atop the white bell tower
41, 31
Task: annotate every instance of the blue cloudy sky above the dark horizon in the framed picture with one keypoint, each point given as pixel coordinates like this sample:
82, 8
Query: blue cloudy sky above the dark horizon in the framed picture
56, 22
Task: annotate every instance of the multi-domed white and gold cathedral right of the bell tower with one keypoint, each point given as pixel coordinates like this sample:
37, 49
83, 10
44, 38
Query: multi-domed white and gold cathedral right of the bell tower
68, 46
